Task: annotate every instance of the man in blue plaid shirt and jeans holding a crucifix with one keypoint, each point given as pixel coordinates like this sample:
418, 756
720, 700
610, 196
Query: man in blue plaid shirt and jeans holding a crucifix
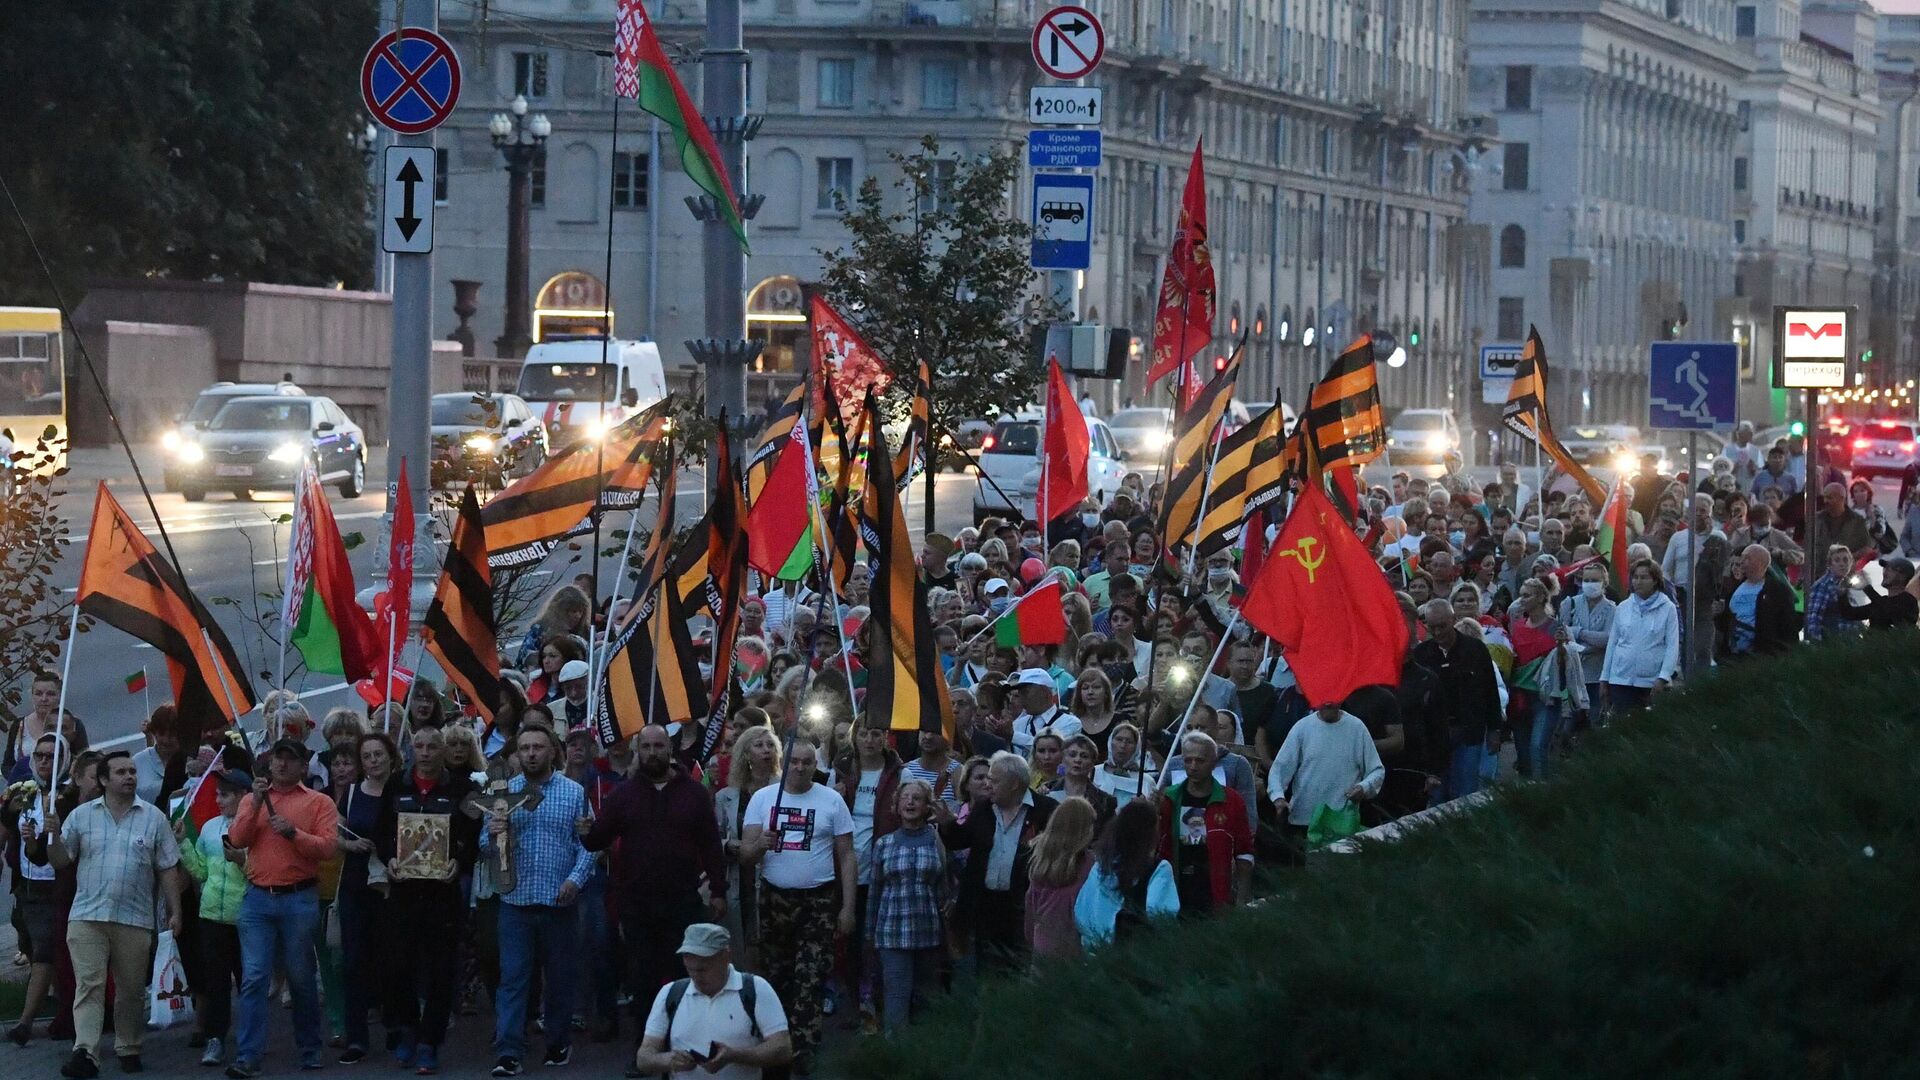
537, 920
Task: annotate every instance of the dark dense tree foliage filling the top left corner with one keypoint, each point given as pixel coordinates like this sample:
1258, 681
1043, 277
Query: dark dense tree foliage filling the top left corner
197, 139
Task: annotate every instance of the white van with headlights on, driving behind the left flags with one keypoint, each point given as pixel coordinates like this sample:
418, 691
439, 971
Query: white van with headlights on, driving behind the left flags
575, 397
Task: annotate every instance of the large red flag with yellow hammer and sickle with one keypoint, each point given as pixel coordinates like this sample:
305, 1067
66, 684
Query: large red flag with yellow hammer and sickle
1328, 604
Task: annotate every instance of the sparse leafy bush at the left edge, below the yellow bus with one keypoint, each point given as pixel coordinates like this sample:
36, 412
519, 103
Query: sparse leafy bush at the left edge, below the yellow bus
34, 612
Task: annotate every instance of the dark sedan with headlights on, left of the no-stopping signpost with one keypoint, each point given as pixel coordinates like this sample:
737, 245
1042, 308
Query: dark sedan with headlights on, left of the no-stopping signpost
264, 443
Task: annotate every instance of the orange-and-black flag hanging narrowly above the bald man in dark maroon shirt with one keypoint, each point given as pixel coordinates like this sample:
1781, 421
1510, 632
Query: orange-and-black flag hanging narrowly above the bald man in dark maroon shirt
652, 672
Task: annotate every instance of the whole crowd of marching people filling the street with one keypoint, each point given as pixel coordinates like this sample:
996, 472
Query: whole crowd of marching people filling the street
406, 866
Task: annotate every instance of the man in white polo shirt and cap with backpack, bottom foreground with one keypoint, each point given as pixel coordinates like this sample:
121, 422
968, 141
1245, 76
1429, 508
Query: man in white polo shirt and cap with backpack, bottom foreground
727, 1023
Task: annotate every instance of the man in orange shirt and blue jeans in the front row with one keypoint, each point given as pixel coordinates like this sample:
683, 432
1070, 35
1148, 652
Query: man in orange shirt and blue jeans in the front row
287, 831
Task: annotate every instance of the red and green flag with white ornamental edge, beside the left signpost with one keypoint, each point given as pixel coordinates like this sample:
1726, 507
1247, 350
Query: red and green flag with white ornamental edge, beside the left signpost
325, 622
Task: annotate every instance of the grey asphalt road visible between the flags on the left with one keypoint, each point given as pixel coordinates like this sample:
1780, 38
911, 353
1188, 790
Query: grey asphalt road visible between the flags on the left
233, 554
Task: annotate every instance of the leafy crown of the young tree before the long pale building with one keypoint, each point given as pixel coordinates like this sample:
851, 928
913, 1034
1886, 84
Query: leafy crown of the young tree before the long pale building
938, 268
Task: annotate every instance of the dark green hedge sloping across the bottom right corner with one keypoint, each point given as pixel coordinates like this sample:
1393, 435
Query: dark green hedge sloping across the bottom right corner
1723, 889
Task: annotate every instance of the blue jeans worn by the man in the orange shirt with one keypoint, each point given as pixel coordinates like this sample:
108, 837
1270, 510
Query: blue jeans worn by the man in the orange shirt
277, 931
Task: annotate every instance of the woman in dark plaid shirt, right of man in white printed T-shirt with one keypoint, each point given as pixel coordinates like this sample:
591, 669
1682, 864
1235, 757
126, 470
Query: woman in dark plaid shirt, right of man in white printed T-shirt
907, 902
